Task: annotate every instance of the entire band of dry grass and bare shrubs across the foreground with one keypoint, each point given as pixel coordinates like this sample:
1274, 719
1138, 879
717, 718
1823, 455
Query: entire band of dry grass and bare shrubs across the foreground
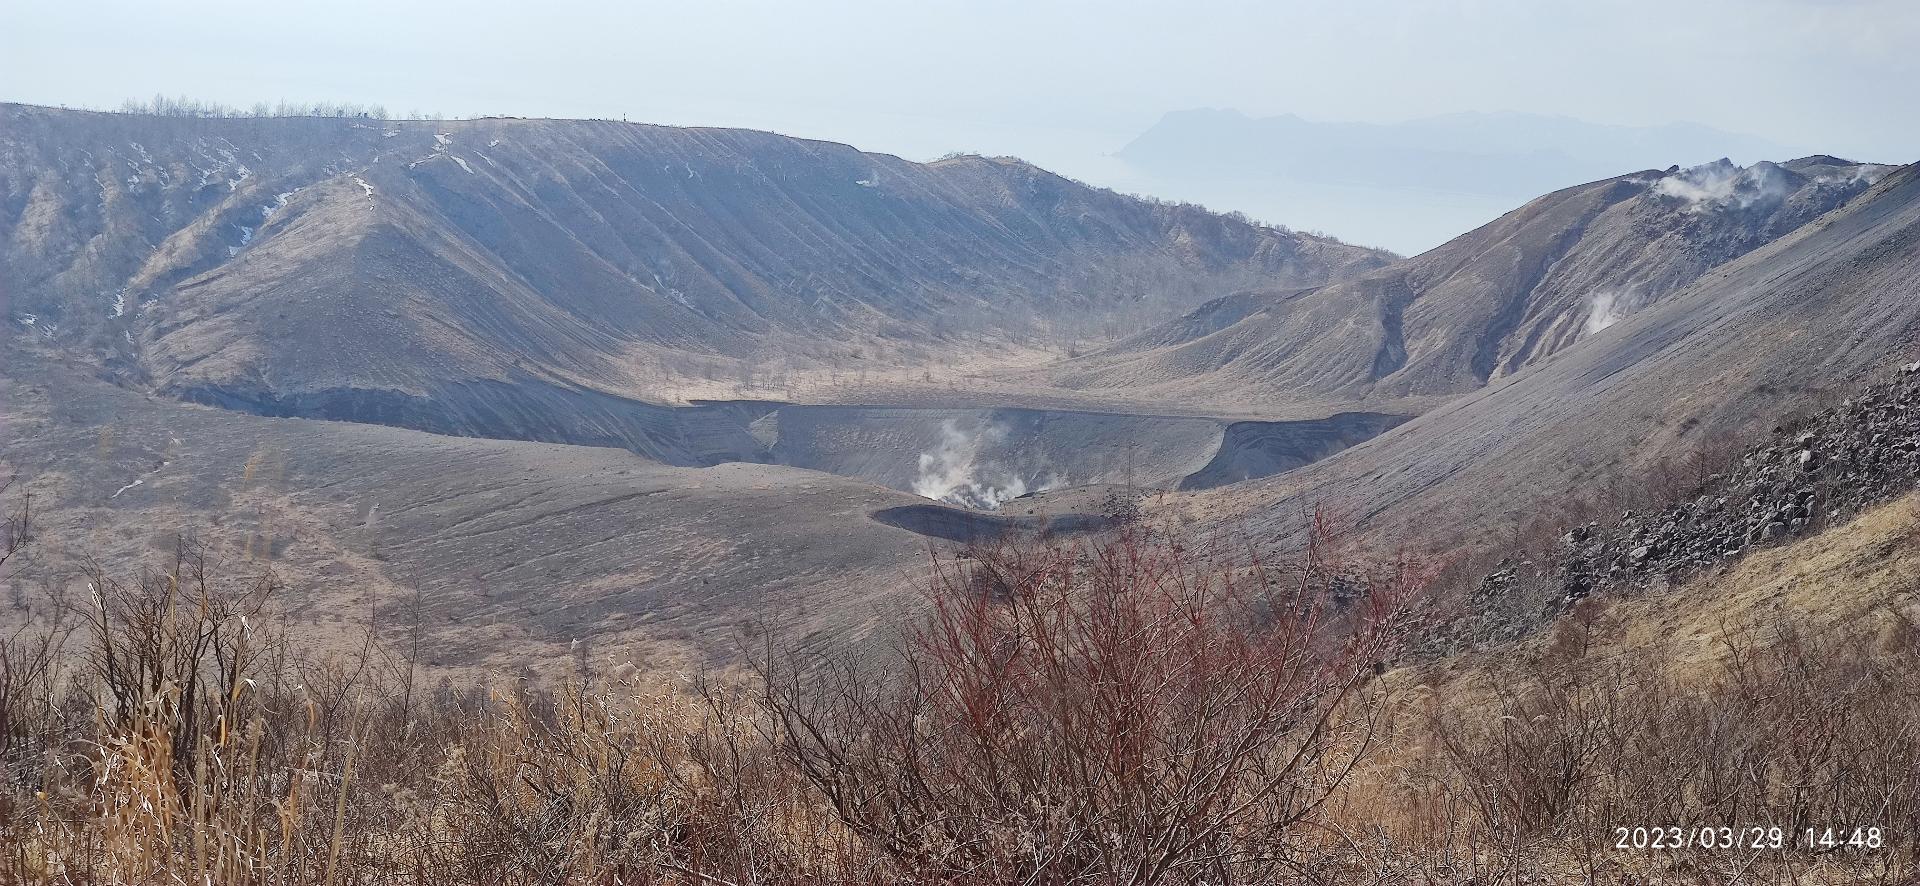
1141, 708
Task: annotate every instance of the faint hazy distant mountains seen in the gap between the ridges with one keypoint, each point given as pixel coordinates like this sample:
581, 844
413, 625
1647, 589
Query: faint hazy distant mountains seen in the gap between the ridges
1404, 185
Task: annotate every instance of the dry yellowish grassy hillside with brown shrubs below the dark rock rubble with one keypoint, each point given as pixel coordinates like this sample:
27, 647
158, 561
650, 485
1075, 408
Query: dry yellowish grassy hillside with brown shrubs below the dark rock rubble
1775, 695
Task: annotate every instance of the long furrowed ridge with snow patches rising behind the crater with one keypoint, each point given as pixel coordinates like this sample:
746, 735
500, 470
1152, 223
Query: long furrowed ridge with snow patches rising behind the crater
285, 260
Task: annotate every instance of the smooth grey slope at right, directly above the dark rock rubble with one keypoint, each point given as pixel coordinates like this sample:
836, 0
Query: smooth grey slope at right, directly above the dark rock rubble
1806, 318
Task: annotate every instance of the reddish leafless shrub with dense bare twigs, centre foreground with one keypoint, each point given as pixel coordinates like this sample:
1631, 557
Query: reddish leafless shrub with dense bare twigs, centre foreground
1122, 712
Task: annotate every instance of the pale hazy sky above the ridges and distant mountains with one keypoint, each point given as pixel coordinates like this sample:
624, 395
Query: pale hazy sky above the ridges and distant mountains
1051, 82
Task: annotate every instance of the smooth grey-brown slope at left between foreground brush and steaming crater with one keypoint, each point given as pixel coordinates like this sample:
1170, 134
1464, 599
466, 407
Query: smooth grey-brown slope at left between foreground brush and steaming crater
517, 549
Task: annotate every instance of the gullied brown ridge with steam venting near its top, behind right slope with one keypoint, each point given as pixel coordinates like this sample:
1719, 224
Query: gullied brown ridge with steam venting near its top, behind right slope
1487, 305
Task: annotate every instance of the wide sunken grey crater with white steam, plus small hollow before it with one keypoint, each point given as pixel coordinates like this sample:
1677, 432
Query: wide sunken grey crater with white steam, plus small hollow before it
969, 464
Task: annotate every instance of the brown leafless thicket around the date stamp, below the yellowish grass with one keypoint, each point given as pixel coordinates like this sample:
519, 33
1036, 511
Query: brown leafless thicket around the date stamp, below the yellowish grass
1794, 729
